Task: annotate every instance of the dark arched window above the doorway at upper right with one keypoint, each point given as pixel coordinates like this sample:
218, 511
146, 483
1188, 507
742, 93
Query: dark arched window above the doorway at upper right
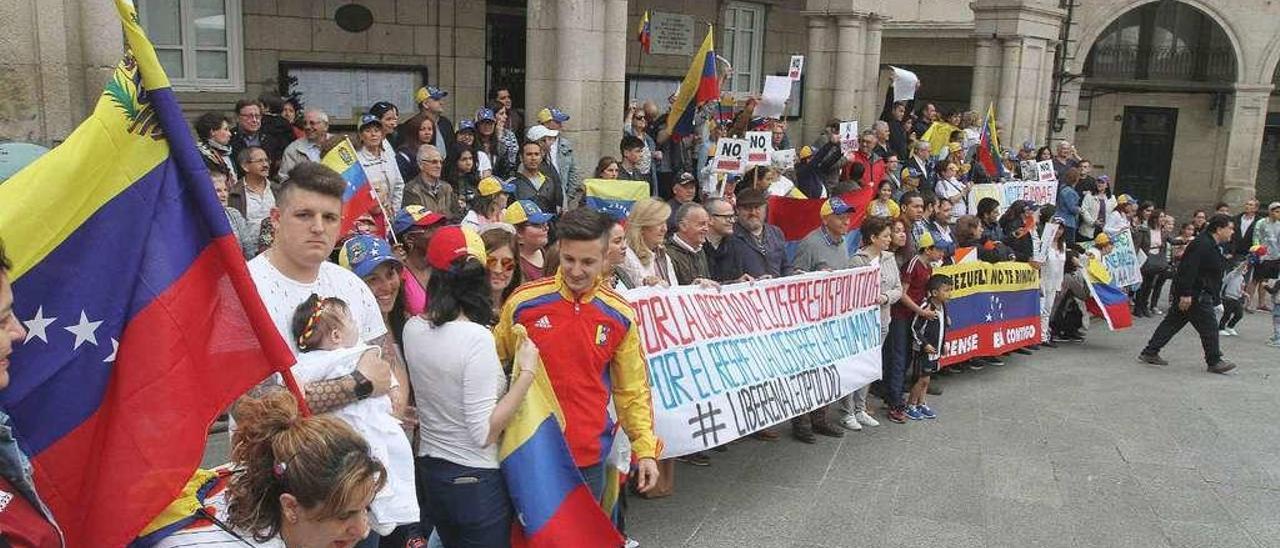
1164, 42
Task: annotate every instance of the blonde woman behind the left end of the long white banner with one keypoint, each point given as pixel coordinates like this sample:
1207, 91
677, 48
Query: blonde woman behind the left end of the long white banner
647, 261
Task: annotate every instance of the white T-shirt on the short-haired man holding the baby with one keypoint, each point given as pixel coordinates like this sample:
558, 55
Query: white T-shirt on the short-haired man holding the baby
284, 295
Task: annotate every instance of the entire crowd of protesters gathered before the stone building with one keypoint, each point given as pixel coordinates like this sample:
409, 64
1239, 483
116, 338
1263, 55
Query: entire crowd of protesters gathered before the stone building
422, 330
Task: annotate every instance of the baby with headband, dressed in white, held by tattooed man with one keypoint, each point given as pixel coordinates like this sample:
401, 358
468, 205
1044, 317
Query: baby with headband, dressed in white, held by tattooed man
331, 349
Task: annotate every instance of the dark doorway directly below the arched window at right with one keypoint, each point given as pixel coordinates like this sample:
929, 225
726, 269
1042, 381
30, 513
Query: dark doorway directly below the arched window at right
1146, 153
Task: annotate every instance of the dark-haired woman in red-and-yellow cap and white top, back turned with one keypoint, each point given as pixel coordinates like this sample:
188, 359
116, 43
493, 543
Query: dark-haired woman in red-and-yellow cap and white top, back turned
464, 399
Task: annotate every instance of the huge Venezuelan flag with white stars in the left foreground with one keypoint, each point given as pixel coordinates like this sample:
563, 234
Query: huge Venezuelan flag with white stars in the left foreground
143, 321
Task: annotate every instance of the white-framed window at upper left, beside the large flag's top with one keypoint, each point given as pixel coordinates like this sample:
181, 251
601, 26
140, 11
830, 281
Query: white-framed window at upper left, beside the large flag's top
198, 42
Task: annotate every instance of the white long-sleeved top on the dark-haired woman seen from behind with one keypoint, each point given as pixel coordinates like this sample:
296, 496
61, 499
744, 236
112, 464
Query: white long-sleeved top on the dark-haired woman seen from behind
458, 382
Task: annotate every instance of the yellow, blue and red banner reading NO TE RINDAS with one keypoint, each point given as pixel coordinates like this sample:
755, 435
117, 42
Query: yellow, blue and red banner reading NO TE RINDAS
994, 309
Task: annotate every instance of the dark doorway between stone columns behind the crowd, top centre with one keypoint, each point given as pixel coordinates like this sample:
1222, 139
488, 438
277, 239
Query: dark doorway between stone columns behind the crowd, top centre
505, 45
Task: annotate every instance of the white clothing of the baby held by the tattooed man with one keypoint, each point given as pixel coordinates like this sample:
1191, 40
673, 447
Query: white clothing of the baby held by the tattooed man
372, 418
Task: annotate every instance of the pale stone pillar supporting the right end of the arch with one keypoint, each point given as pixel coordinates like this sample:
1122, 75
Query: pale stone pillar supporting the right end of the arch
1245, 141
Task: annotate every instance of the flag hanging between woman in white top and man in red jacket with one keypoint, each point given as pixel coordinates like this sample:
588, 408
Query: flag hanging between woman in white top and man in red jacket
554, 506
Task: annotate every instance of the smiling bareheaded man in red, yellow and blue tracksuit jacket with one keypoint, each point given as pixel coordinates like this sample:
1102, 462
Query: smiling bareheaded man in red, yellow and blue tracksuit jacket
589, 342
